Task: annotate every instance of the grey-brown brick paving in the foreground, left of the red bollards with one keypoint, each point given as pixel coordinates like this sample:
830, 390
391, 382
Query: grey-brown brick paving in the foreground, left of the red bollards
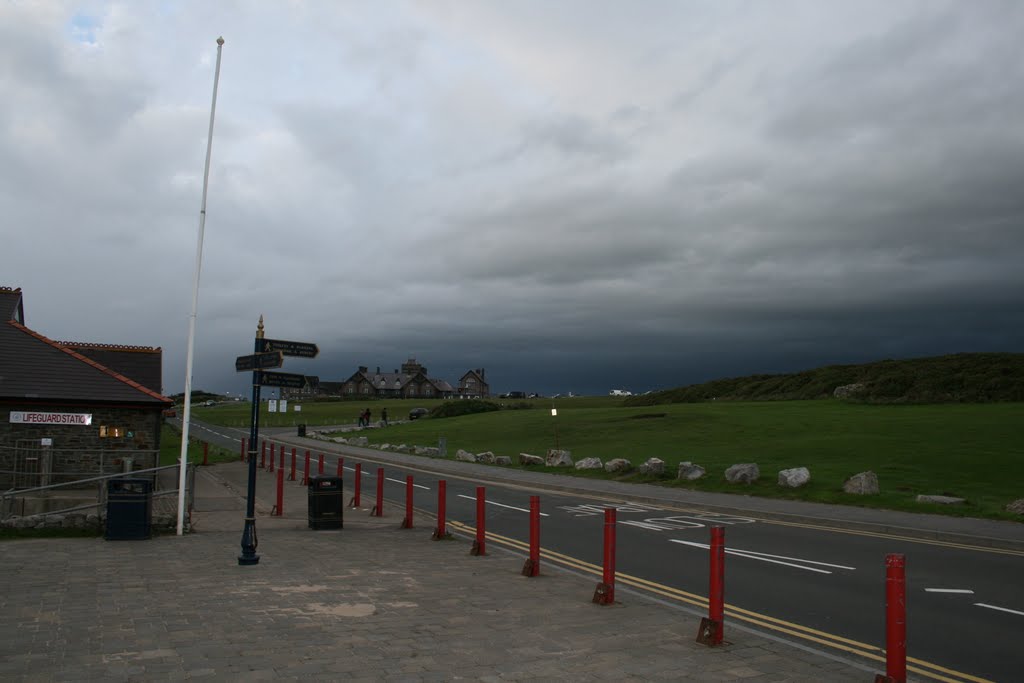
370, 603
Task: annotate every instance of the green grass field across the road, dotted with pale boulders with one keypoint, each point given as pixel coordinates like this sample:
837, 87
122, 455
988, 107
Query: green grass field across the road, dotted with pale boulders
971, 451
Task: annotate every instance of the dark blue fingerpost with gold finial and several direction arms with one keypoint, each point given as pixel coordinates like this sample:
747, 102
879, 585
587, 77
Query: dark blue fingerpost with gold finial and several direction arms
267, 354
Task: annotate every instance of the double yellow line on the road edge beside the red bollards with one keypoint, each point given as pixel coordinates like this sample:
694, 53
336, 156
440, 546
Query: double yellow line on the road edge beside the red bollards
763, 621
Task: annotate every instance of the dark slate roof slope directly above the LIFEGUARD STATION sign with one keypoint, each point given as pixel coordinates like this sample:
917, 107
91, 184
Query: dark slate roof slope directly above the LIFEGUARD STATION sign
36, 368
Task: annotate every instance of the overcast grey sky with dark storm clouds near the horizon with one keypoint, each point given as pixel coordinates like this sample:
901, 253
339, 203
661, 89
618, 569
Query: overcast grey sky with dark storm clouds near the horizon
577, 196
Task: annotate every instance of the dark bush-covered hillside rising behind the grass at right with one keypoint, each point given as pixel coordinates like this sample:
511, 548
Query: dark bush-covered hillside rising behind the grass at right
958, 378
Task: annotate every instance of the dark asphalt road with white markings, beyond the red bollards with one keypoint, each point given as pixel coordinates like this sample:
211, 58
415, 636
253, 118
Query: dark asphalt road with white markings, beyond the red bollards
821, 587
